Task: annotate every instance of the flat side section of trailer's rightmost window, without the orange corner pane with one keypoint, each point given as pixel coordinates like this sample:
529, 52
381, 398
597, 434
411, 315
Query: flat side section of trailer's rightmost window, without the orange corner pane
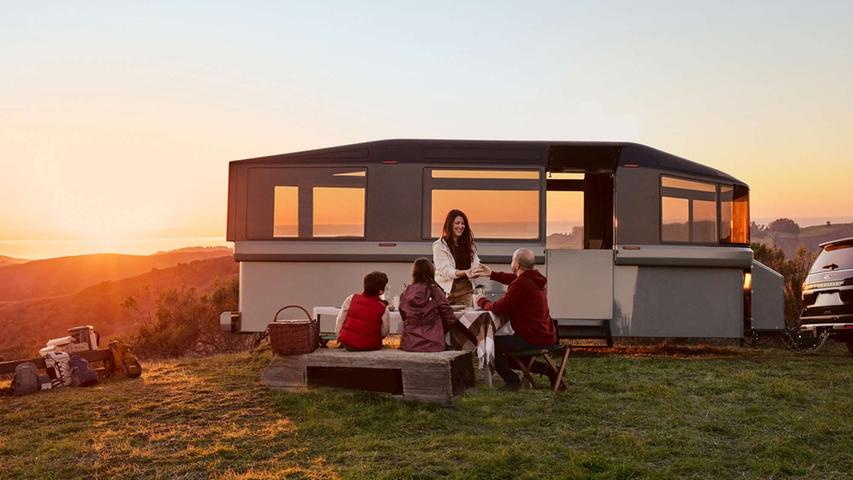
688, 211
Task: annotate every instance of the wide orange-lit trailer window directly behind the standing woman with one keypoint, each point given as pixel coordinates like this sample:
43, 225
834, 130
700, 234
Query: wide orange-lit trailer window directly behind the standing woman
500, 204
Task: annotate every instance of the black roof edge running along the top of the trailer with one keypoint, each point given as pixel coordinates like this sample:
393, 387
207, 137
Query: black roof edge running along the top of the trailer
534, 152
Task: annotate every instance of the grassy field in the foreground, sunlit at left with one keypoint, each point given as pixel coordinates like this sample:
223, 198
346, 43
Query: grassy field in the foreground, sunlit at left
631, 413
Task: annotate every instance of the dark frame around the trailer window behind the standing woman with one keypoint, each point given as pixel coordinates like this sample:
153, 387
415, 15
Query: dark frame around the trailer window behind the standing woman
428, 184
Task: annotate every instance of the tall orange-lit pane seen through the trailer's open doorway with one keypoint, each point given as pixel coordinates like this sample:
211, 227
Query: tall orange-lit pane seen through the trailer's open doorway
564, 221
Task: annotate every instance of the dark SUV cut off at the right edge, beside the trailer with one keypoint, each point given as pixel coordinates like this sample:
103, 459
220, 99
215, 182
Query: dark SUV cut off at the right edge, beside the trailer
828, 293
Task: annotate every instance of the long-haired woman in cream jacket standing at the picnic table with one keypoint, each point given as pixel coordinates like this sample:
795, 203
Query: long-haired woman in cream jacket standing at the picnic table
455, 258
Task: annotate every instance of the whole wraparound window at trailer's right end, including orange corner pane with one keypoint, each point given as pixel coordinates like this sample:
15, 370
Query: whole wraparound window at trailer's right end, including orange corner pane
702, 212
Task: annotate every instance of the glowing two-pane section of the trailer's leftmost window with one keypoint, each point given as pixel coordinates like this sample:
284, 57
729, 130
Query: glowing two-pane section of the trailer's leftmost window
320, 203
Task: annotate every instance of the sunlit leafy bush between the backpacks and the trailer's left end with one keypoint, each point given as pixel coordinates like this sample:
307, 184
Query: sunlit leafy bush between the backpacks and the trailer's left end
186, 322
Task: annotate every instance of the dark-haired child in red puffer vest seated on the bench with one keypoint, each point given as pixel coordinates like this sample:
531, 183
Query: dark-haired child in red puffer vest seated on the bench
364, 319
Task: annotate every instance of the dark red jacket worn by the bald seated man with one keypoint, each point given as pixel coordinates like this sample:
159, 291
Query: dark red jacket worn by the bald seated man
526, 304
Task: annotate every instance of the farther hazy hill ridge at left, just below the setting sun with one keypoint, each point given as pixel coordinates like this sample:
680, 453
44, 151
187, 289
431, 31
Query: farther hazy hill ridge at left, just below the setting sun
66, 275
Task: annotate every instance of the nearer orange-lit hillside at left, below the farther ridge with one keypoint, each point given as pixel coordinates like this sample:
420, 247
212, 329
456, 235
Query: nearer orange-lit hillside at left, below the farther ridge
28, 324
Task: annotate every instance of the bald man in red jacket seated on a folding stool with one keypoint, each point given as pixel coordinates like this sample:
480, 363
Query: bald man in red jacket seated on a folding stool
526, 304
